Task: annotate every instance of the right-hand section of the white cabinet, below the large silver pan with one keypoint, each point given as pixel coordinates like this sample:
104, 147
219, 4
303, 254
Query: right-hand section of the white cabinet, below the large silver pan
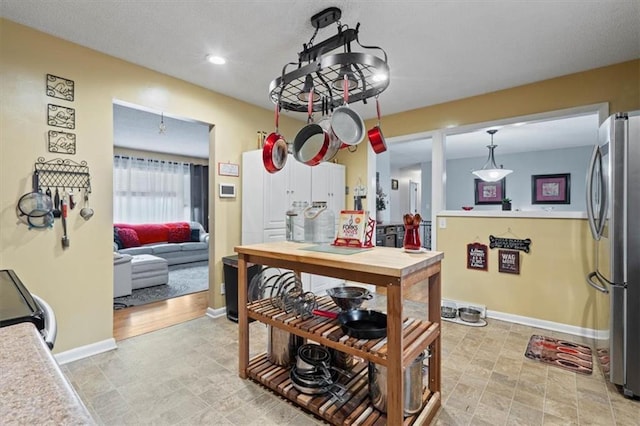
328, 184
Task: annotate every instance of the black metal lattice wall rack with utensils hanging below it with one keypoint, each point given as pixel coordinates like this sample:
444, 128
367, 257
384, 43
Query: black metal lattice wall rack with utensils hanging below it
61, 173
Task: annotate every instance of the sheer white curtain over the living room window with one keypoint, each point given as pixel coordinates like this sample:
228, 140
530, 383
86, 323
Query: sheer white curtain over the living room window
150, 191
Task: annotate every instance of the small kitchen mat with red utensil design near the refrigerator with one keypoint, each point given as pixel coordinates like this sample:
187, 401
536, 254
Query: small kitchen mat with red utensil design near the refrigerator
560, 353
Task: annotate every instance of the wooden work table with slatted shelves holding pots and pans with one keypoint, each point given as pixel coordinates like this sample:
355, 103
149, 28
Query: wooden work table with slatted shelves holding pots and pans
387, 267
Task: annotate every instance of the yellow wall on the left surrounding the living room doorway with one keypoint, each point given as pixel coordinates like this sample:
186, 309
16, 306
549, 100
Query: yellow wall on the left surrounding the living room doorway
77, 282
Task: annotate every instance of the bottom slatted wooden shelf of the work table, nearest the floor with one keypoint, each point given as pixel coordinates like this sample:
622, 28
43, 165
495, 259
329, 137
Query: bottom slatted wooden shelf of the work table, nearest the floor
355, 407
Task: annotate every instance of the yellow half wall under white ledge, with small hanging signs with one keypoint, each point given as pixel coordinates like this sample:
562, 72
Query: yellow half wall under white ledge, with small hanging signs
551, 285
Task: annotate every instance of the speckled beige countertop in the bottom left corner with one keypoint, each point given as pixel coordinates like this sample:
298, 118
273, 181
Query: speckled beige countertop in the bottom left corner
33, 389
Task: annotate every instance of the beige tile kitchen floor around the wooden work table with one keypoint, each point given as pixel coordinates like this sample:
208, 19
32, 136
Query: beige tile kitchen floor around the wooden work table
187, 375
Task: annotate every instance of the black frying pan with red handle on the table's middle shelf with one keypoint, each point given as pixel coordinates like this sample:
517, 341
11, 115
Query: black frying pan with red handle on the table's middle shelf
359, 323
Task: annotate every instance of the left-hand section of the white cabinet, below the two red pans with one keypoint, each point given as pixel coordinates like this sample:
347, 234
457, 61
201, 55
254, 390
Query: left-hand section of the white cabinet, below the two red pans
281, 189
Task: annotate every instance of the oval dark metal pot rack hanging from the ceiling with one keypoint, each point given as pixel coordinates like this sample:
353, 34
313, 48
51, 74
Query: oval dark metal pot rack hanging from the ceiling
370, 71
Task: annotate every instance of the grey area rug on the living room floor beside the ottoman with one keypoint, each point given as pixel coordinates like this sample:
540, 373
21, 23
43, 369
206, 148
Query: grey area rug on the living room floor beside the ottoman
183, 279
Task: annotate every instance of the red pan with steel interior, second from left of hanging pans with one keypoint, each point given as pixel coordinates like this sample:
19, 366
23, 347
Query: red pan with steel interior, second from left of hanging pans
312, 141
